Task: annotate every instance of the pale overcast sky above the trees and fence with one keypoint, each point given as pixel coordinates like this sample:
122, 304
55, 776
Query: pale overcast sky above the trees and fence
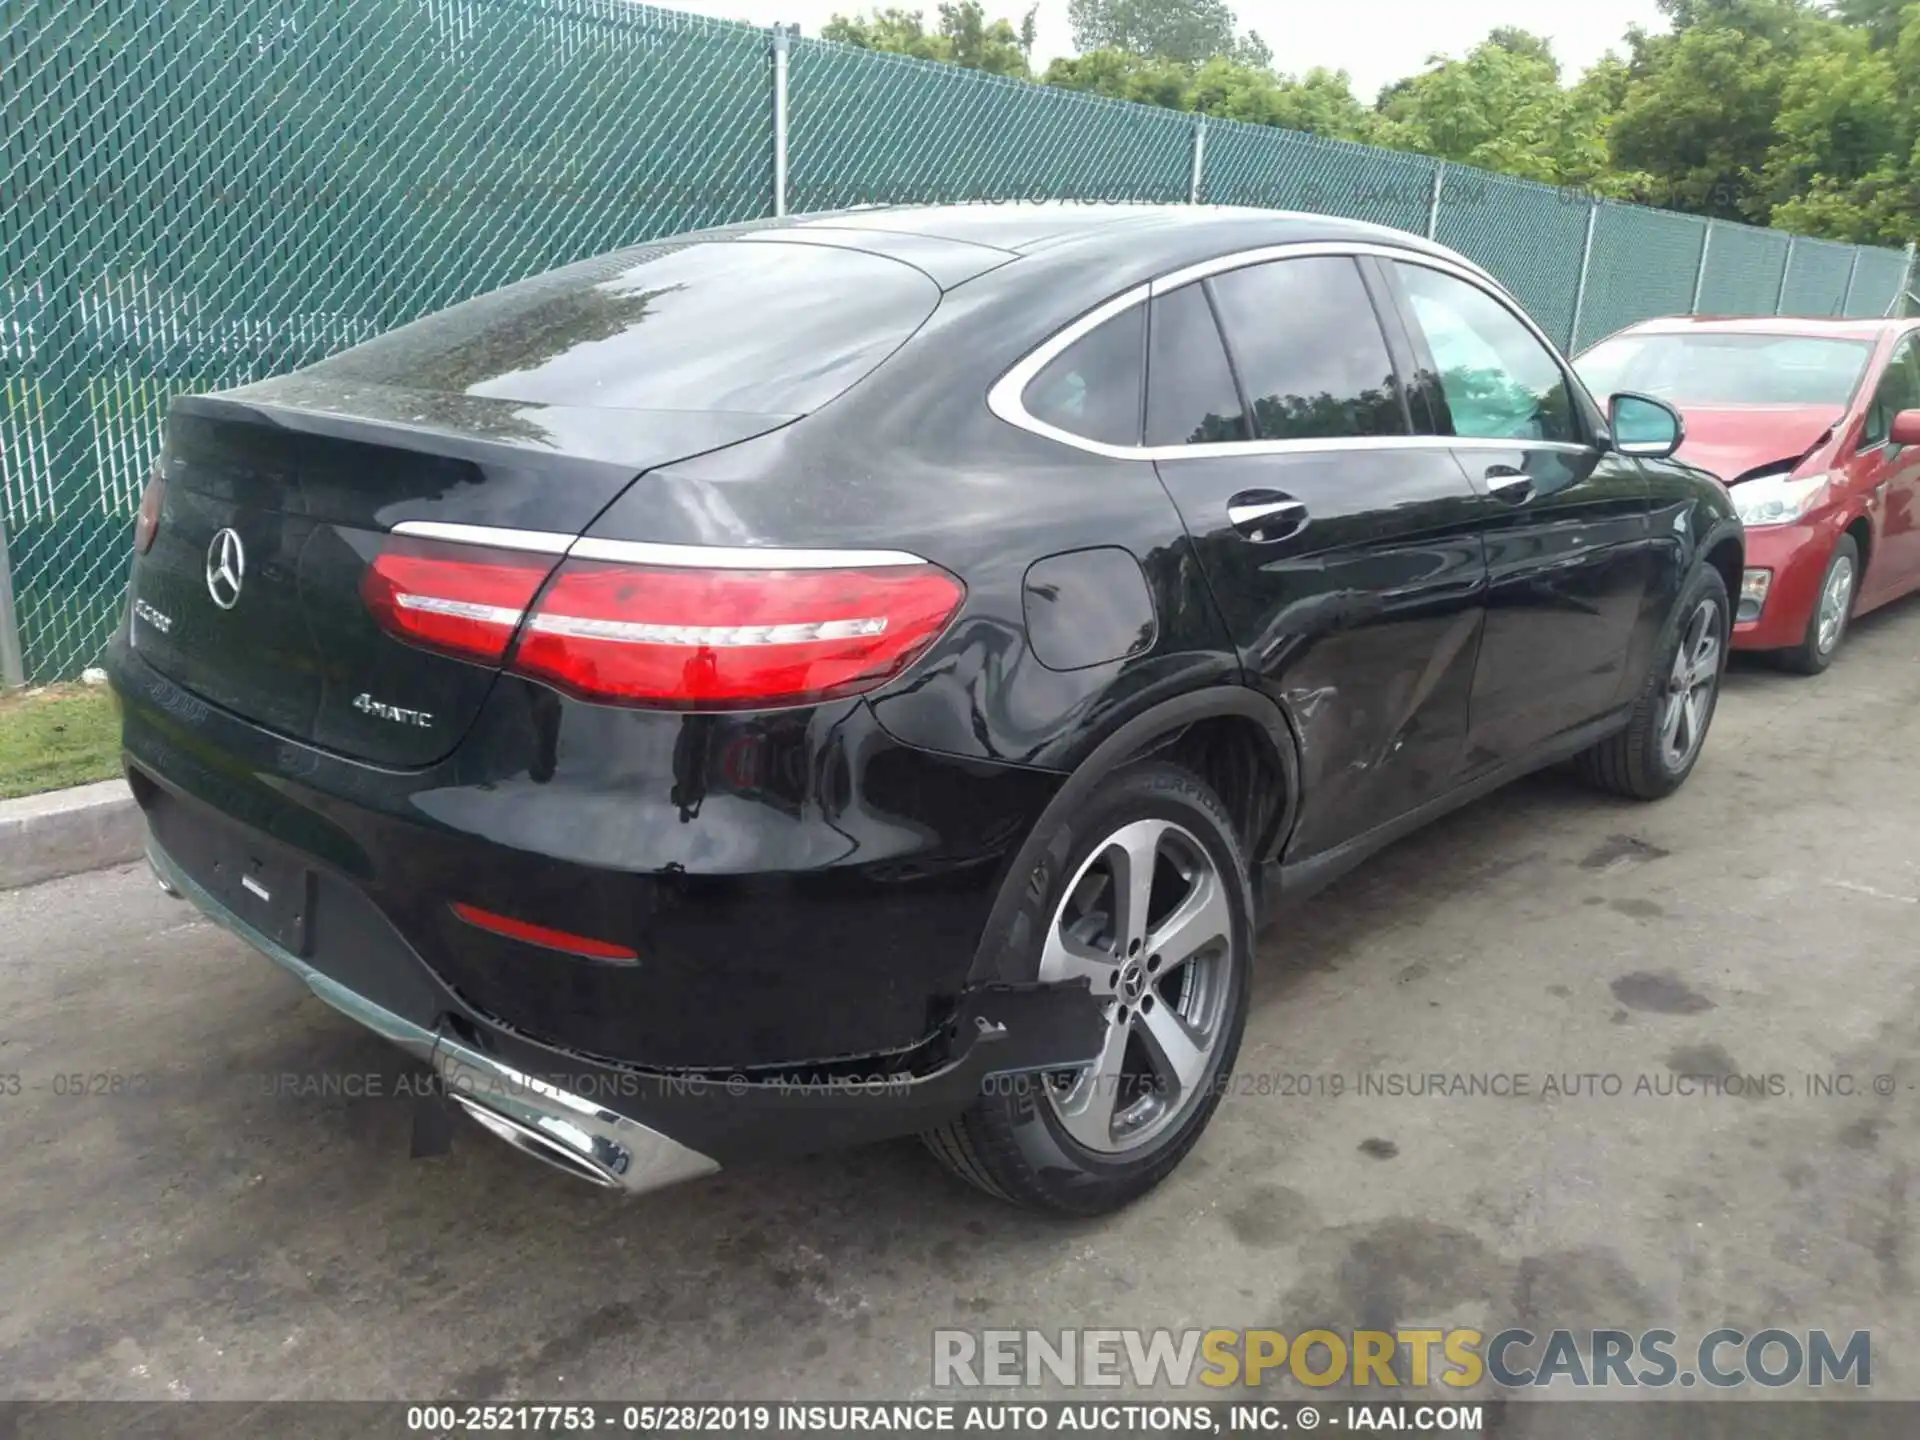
1374, 41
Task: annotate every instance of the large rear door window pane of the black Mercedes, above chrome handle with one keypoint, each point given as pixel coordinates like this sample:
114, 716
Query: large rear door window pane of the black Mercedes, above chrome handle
1310, 352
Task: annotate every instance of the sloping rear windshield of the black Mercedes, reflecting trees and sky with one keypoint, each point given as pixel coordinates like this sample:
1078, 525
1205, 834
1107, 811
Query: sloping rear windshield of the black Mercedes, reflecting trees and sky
769, 329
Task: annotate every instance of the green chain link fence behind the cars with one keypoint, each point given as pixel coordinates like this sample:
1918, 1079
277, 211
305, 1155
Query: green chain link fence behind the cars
204, 193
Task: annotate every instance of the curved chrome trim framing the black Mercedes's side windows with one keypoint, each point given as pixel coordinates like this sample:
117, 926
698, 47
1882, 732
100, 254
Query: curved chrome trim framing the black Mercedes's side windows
1005, 396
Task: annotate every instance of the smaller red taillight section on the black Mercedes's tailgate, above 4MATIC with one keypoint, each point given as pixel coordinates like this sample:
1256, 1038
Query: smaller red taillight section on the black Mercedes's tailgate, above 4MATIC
460, 600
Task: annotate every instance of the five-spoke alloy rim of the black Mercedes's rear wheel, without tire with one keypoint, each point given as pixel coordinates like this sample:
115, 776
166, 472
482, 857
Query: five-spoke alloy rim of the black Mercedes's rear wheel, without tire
1149, 923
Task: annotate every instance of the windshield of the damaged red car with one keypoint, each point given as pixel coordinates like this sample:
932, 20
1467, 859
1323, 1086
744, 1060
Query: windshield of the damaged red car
1727, 370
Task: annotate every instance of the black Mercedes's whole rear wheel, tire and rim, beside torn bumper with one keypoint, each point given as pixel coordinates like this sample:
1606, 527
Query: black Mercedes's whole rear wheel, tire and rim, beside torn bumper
1090, 1141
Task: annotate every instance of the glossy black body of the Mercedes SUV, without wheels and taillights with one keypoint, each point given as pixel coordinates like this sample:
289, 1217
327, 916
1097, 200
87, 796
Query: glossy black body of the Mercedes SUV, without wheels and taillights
832, 886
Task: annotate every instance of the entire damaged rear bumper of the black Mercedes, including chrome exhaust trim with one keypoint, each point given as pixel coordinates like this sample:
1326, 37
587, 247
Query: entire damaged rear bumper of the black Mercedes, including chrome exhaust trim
804, 913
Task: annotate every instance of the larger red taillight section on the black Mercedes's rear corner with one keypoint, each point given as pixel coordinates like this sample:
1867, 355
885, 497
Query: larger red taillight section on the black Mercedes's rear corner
686, 638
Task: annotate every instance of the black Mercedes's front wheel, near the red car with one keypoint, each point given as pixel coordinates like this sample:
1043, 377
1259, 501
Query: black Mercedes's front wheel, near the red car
1646, 761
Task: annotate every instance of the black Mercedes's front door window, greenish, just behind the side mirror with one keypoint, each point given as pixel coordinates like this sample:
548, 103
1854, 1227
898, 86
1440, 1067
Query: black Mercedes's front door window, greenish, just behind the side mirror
1499, 381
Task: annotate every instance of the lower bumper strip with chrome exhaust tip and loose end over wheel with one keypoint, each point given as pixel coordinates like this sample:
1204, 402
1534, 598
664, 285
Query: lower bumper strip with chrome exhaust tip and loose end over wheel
633, 1130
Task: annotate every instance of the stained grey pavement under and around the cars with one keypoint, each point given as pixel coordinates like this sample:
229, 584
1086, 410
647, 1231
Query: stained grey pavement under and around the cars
226, 1226
